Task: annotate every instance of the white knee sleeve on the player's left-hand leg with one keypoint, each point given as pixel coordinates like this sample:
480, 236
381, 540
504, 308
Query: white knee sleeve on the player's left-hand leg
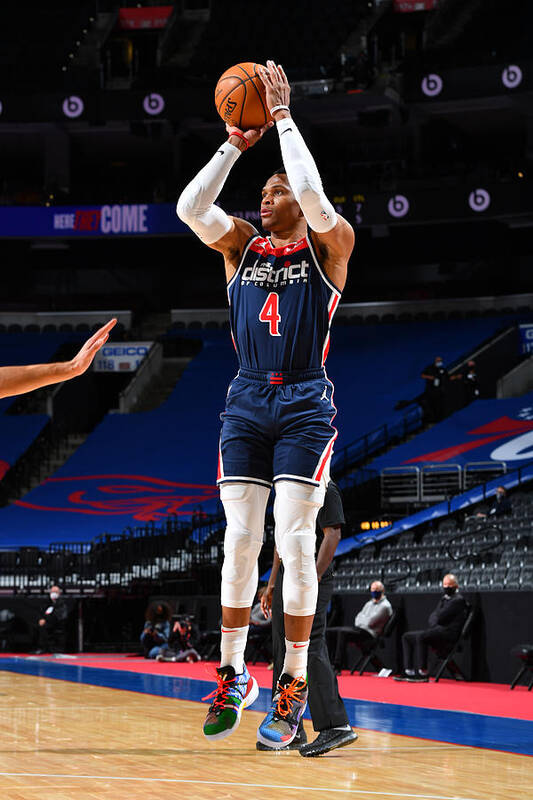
244, 506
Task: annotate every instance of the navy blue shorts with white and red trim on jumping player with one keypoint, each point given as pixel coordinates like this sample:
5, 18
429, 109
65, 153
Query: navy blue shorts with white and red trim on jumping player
277, 426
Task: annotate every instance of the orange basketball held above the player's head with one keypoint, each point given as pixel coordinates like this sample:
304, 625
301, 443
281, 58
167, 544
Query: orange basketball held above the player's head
240, 96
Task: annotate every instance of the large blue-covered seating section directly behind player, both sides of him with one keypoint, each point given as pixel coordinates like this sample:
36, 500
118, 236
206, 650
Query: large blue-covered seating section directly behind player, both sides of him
373, 367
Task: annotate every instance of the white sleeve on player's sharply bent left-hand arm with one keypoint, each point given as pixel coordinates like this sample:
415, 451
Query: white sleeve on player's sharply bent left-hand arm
196, 203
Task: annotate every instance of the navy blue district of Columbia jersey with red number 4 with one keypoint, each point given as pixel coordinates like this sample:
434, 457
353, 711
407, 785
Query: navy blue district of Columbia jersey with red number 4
281, 307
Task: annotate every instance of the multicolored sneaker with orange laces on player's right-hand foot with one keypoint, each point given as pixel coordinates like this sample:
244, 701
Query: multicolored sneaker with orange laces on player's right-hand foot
280, 725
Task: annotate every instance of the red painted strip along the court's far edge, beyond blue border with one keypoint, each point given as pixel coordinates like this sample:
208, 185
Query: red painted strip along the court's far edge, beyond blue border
491, 699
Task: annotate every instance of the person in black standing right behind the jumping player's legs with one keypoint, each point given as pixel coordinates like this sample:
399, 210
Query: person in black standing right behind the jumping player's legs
327, 709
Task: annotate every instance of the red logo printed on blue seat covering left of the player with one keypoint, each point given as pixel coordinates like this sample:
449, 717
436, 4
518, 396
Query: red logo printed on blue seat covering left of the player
139, 497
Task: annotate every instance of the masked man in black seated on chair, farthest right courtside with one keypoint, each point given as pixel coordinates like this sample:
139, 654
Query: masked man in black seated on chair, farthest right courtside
445, 624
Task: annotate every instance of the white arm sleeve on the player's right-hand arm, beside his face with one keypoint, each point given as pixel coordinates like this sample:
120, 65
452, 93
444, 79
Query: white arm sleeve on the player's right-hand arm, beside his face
304, 178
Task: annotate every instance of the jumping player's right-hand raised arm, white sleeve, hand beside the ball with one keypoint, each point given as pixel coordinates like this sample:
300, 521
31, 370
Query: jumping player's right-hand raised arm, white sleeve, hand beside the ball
331, 229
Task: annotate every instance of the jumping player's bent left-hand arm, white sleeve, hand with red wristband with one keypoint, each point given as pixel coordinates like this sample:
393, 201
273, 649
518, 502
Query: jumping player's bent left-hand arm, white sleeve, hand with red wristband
196, 205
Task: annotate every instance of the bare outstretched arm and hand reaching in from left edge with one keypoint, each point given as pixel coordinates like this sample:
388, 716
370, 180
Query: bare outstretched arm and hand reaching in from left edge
18, 380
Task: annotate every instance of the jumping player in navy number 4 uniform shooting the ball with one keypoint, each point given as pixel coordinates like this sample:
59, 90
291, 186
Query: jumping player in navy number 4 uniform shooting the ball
283, 290
